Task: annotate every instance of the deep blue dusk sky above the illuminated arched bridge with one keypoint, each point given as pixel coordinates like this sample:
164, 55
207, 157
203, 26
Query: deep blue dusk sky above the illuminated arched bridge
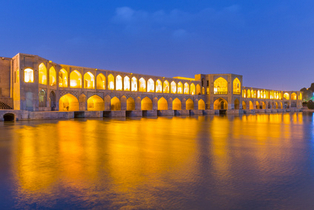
270, 43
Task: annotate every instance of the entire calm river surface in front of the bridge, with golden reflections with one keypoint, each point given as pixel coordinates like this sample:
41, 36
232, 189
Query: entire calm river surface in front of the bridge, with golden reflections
248, 162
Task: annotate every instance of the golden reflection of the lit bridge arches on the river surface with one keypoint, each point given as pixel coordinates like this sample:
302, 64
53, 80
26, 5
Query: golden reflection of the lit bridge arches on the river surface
125, 160
